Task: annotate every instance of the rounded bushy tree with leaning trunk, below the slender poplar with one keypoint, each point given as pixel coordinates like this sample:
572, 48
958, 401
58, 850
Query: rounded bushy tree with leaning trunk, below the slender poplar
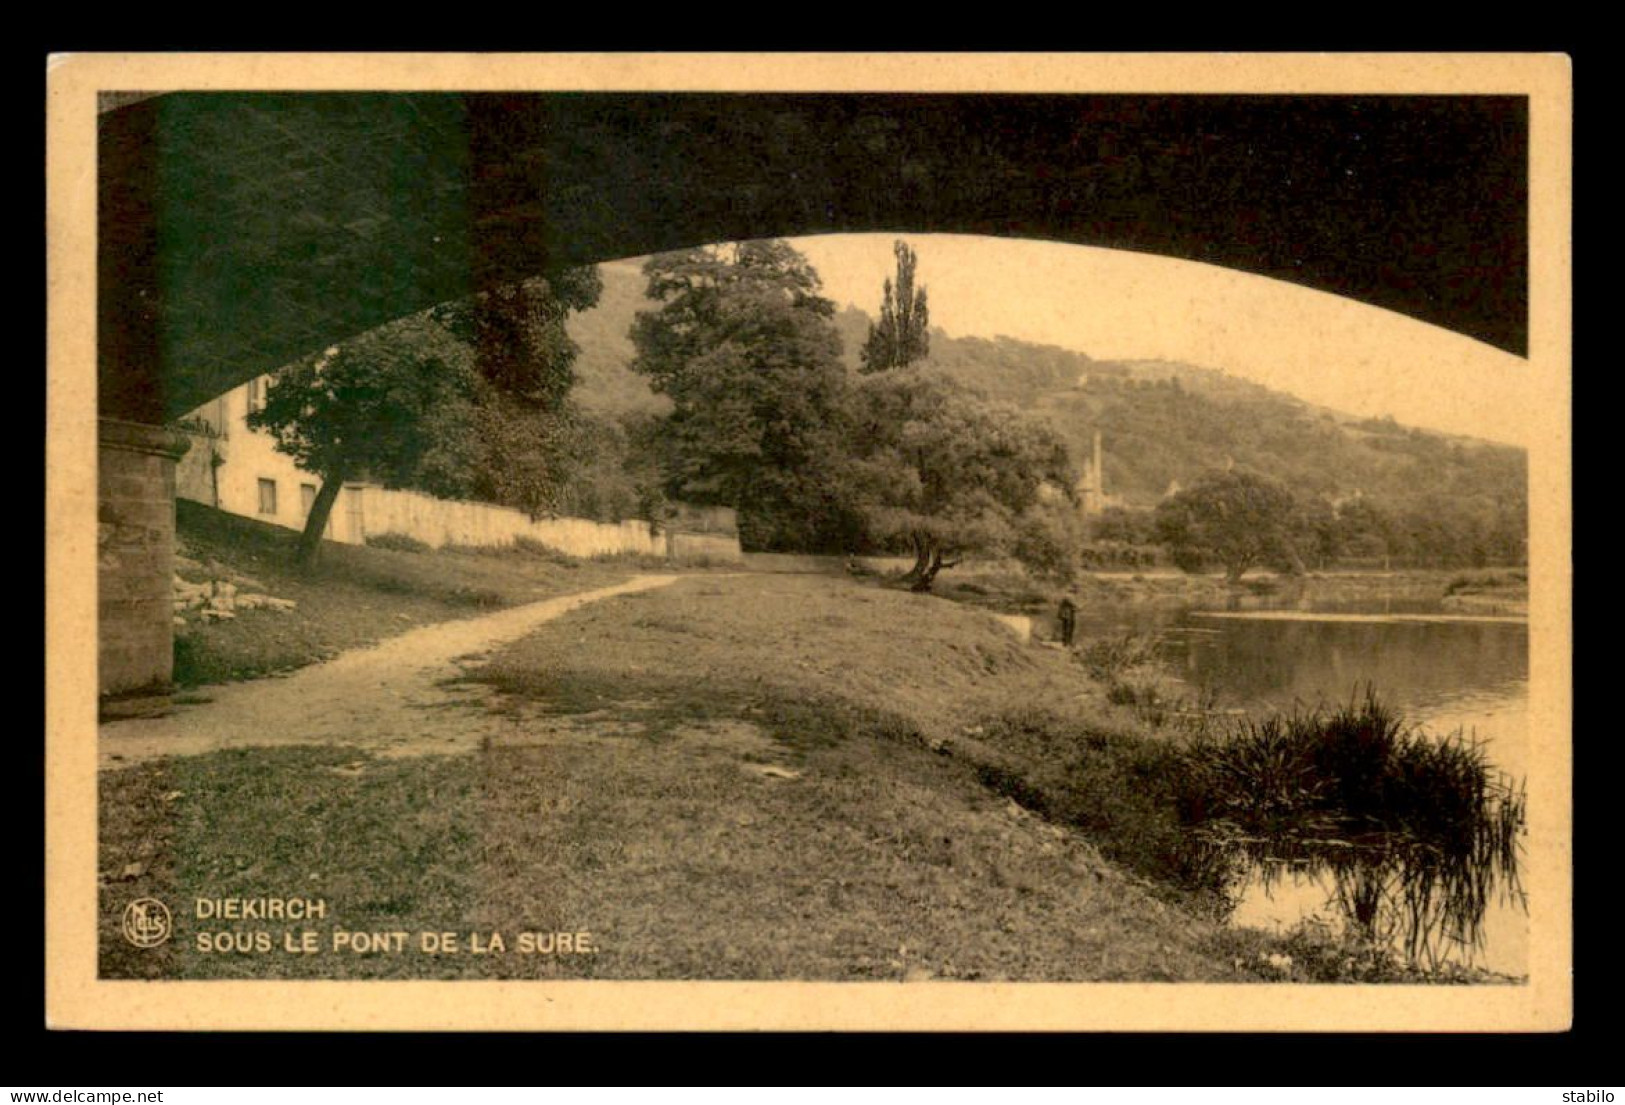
948, 474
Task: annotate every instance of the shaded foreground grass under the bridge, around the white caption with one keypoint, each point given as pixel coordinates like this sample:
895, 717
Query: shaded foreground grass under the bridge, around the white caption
878, 864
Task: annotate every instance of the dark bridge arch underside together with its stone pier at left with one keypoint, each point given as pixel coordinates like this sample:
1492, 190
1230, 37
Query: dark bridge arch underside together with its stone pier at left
241, 232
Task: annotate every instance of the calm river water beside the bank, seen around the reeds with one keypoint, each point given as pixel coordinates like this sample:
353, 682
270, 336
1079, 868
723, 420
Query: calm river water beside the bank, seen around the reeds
1439, 670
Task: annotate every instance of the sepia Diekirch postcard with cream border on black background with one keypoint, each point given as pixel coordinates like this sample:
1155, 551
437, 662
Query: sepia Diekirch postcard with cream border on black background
810, 542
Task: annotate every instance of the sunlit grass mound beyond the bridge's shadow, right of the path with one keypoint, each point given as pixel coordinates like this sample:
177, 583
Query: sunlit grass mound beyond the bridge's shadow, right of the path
818, 639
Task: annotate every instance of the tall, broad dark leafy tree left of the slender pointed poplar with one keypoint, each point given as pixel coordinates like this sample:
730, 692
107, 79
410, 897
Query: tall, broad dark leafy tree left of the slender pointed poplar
745, 347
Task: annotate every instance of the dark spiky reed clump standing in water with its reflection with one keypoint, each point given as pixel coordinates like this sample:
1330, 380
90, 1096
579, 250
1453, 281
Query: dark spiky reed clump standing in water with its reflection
1416, 830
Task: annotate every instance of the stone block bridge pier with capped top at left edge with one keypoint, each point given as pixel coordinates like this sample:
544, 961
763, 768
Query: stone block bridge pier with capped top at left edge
136, 547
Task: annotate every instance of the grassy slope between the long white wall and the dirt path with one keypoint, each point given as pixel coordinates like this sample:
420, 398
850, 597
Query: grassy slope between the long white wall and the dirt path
357, 596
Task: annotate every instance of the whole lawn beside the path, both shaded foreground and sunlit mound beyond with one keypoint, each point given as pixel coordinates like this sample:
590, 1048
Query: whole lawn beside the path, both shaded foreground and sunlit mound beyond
726, 779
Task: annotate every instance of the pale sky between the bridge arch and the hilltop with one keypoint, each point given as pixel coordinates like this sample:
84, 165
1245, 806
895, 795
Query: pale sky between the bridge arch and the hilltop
1117, 305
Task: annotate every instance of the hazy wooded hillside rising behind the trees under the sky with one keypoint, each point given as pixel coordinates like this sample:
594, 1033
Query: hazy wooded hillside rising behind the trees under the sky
1161, 422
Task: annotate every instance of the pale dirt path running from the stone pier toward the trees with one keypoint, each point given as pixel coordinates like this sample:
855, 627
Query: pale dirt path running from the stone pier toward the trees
389, 700
